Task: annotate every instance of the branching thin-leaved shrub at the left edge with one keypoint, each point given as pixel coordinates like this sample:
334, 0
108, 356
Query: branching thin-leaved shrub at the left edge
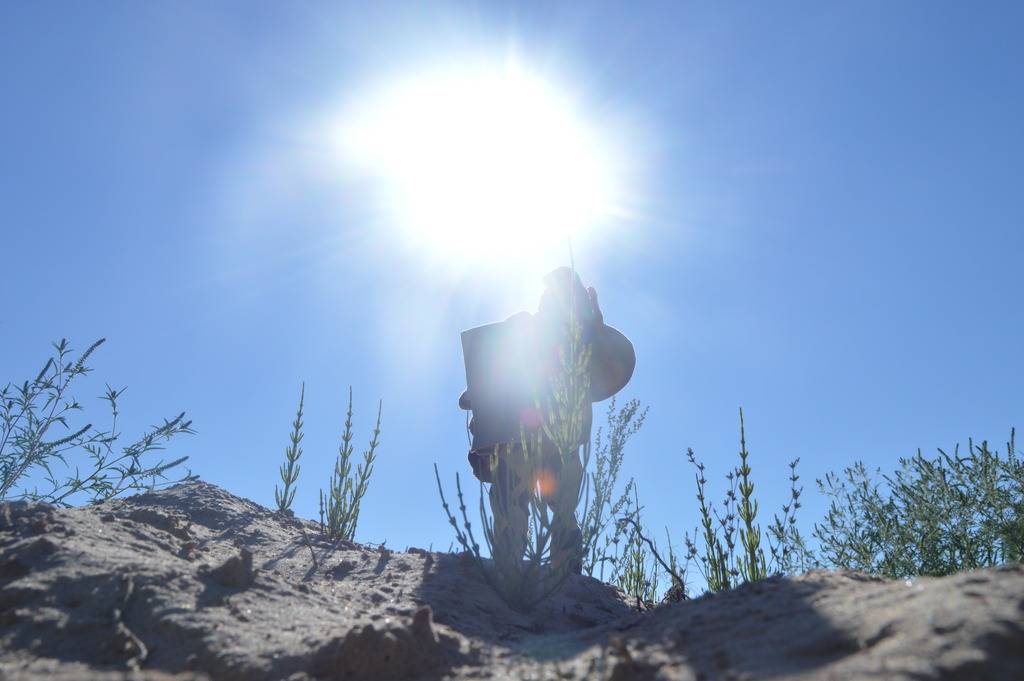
33, 413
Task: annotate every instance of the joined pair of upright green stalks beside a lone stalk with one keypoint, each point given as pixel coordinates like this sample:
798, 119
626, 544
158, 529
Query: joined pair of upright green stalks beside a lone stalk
340, 506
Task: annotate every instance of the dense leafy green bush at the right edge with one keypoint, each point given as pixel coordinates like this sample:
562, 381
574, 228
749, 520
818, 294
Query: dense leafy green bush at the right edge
933, 517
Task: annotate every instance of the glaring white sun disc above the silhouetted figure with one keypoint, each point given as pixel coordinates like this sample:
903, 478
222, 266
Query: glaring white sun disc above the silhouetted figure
482, 164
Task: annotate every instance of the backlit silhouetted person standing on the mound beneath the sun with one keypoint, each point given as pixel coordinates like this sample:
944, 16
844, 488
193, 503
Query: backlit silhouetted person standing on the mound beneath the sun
509, 367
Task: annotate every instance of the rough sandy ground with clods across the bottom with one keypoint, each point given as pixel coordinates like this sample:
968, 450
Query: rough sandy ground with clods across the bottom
194, 583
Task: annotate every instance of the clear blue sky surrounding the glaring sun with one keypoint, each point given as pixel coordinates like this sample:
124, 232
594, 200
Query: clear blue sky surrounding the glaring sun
826, 226
